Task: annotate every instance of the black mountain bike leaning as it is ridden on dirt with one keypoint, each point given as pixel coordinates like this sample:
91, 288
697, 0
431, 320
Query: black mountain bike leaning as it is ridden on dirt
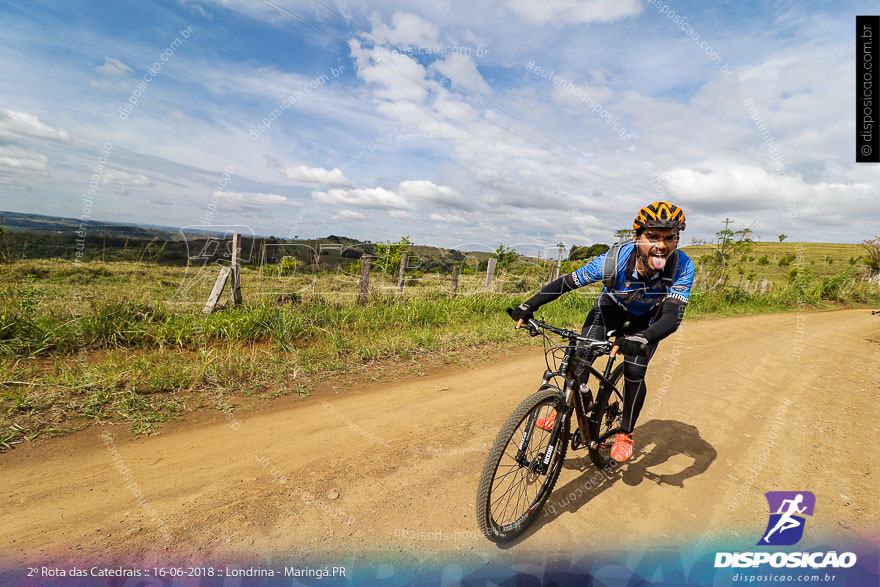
525, 461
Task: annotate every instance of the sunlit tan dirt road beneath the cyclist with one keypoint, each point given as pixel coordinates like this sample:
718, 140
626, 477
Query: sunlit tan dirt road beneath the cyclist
736, 407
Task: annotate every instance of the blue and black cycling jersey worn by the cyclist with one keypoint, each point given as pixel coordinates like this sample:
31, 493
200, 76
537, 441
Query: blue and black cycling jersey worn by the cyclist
636, 293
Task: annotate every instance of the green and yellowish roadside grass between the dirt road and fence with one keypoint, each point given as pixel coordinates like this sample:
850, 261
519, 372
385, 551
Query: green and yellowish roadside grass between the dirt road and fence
112, 342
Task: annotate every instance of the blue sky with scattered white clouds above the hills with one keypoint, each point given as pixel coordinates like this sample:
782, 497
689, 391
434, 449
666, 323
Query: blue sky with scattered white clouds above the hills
471, 123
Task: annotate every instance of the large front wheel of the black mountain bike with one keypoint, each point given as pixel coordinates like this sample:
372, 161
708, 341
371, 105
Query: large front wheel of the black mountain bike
511, 493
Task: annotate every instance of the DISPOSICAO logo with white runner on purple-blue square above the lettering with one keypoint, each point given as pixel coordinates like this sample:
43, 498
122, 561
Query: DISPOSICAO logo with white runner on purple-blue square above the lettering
784, 528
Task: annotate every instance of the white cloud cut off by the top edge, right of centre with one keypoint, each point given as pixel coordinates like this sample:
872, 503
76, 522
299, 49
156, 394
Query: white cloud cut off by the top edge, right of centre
566, 12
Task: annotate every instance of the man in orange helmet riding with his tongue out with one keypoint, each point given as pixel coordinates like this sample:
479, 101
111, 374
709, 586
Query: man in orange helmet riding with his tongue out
648, 284
